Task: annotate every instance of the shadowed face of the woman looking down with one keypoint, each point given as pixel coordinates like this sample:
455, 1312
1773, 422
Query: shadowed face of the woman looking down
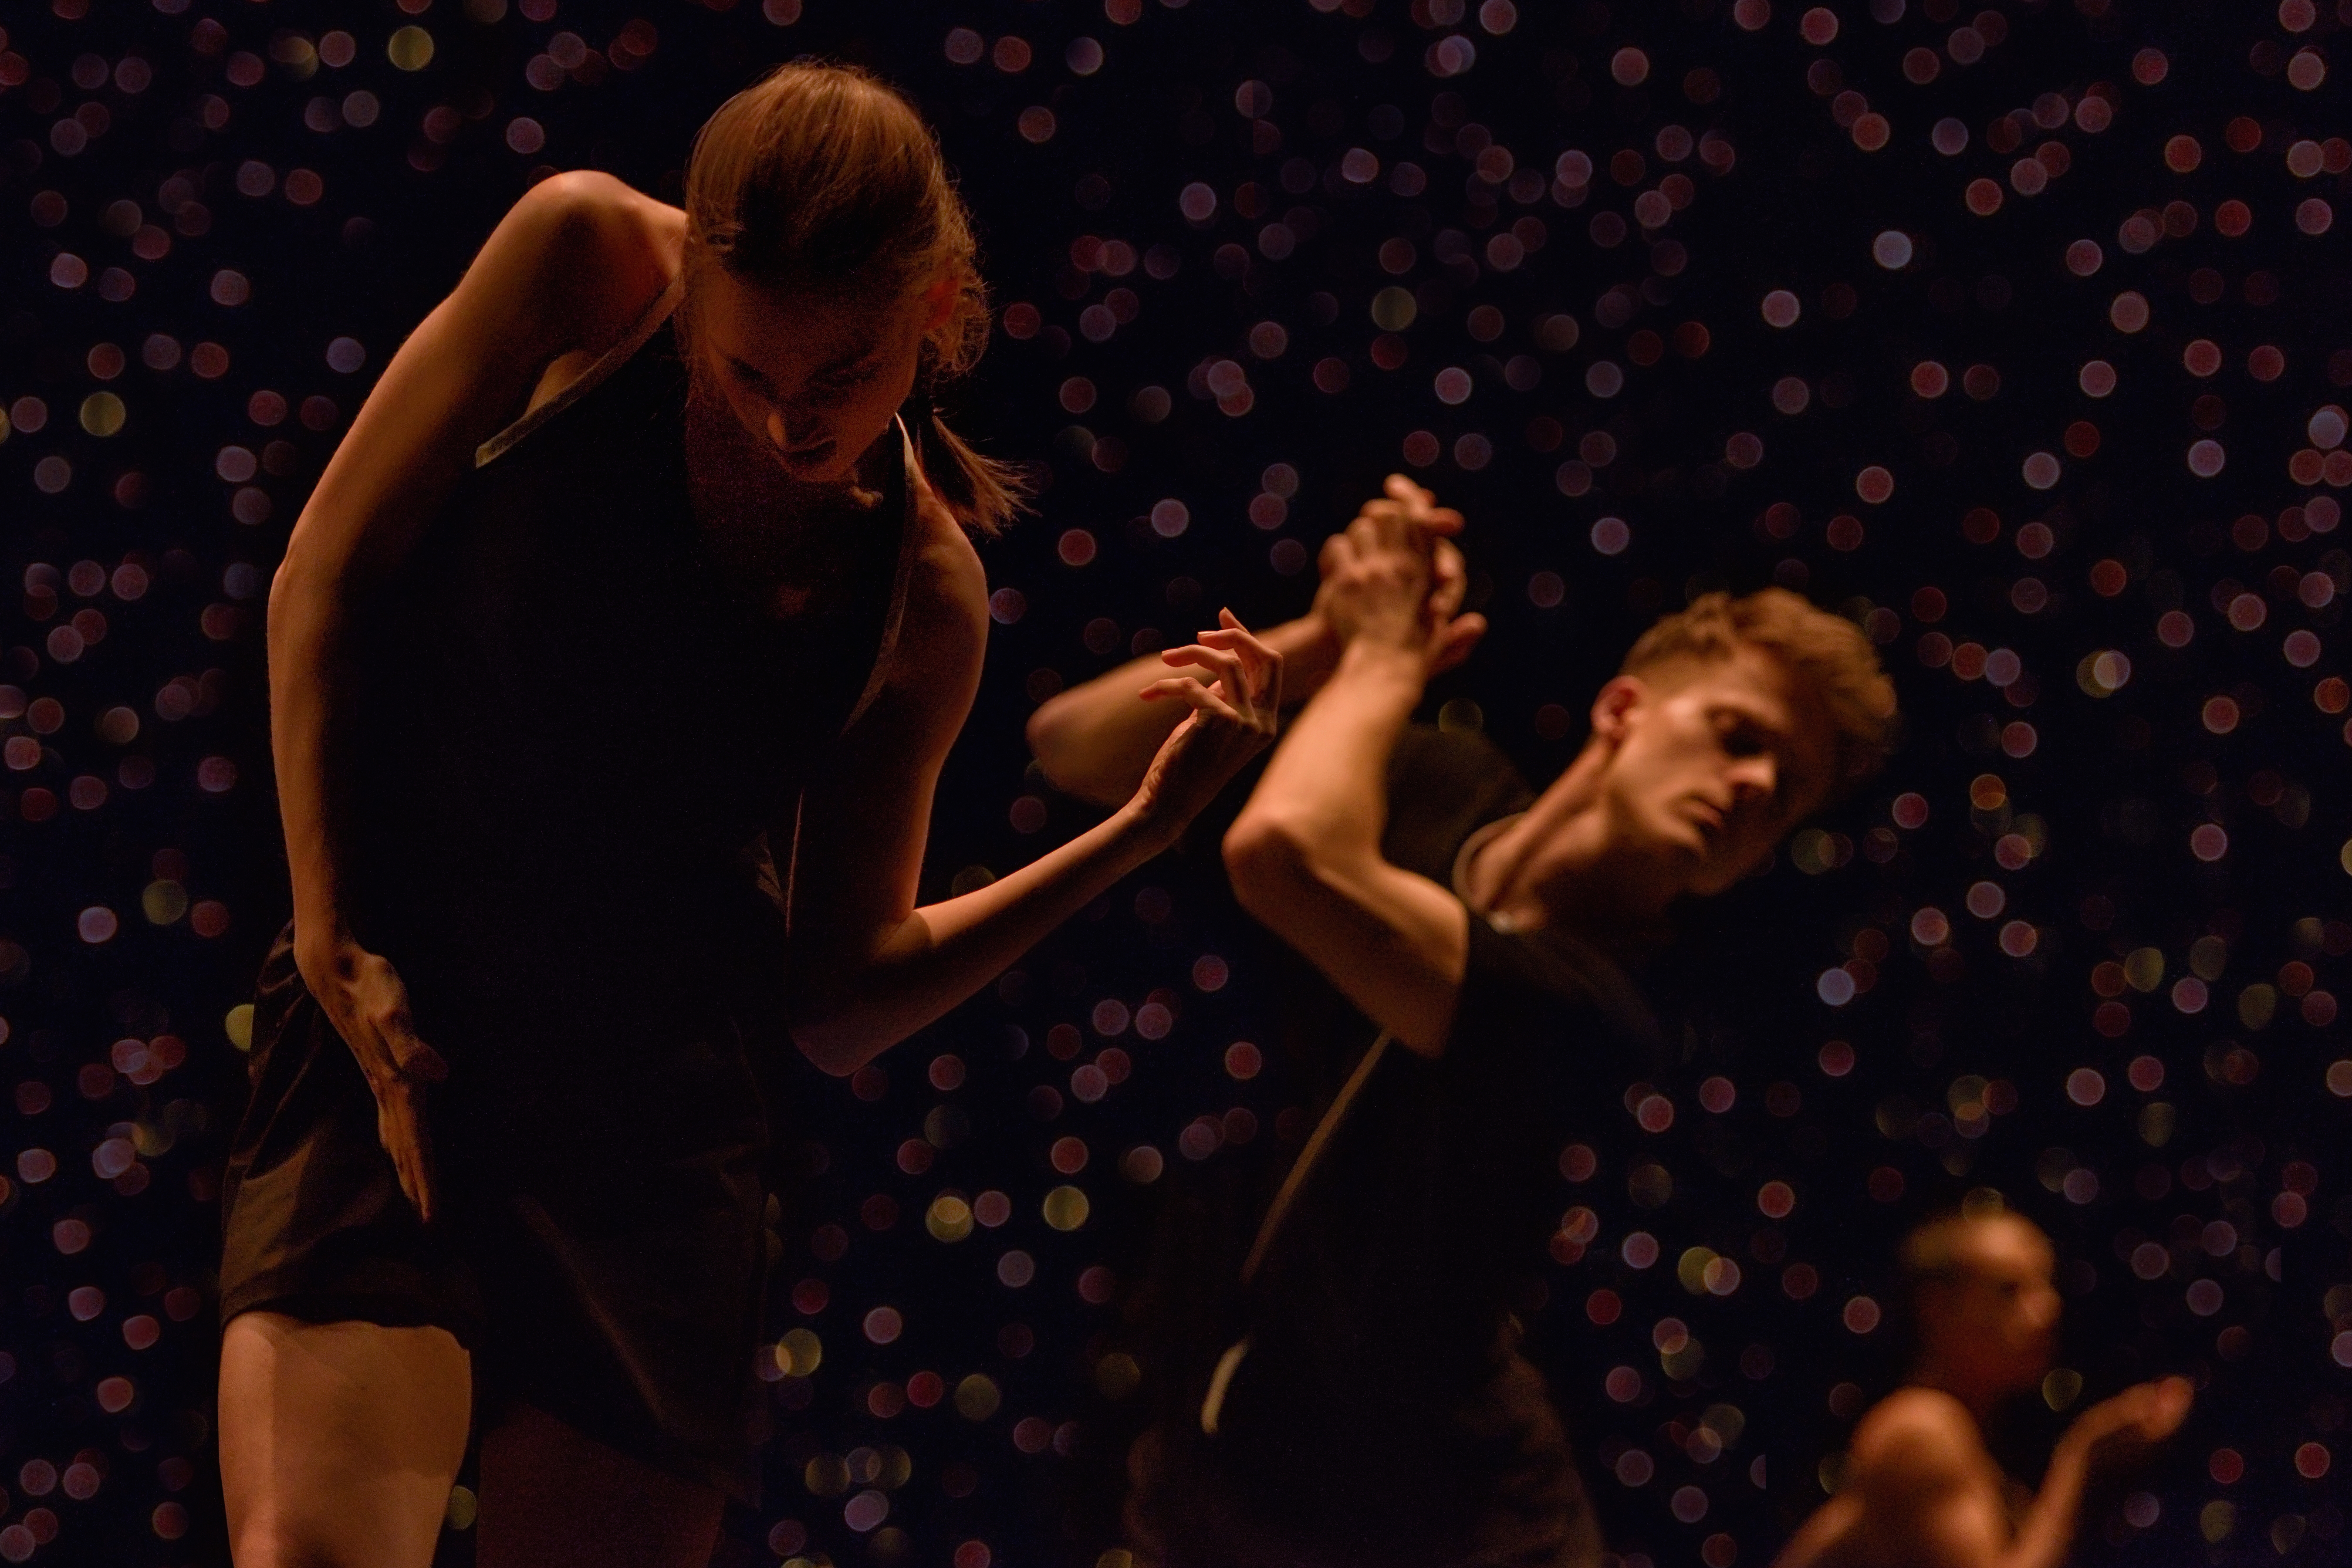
813, 377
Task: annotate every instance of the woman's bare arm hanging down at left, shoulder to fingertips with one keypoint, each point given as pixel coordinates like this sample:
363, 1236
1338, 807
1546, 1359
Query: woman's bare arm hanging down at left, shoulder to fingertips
460, 377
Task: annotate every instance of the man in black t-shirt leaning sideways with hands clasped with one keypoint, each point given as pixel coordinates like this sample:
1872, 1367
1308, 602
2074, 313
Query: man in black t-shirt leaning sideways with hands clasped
1372, 1407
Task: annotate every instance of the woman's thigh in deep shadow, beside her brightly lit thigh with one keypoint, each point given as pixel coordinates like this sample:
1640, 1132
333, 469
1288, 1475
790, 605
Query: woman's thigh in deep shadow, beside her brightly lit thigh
552, 1494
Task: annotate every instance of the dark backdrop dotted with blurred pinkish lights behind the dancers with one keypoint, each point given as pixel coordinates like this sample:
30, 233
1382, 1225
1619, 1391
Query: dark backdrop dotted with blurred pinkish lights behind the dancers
196, 215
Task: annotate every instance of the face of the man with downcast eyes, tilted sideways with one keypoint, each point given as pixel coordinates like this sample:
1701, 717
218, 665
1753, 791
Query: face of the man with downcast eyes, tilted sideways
1716, 763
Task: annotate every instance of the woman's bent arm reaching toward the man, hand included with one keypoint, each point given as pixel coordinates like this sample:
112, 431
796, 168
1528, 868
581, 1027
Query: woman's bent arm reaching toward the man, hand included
864, 965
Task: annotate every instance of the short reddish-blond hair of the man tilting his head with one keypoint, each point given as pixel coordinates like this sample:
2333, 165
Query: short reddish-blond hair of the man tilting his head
1829, 655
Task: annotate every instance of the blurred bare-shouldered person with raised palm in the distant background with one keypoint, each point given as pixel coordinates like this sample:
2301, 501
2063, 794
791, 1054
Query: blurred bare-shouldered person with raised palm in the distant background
1920, 1487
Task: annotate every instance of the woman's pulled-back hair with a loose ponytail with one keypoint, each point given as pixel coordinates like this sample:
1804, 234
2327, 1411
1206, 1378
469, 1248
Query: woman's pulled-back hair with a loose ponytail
824, 180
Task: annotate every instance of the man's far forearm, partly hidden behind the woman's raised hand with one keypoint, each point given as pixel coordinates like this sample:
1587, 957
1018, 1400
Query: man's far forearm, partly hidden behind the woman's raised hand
1095, 742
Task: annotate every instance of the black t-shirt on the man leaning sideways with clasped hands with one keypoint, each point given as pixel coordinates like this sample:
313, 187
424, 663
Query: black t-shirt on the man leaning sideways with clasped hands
1379, 1374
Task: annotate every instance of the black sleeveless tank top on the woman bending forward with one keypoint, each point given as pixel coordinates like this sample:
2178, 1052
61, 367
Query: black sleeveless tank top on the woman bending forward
575, 732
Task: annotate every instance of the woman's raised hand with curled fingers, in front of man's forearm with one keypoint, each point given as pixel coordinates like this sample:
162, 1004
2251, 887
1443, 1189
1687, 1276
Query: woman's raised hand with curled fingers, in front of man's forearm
1234, 721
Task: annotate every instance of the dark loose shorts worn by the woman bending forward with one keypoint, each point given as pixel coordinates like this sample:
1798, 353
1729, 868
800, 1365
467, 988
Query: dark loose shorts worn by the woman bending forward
603, 1278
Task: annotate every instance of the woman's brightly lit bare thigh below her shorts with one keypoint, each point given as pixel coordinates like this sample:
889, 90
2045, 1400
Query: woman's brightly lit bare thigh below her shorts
340, 1442
